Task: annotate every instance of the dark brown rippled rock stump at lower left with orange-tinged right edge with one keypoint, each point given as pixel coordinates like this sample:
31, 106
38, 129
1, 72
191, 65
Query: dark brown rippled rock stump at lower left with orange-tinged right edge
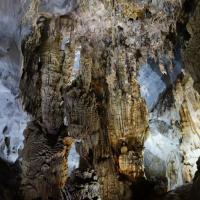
44, 163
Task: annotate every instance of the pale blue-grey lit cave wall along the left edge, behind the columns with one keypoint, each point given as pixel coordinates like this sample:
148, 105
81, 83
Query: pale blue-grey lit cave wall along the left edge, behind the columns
12, 118
